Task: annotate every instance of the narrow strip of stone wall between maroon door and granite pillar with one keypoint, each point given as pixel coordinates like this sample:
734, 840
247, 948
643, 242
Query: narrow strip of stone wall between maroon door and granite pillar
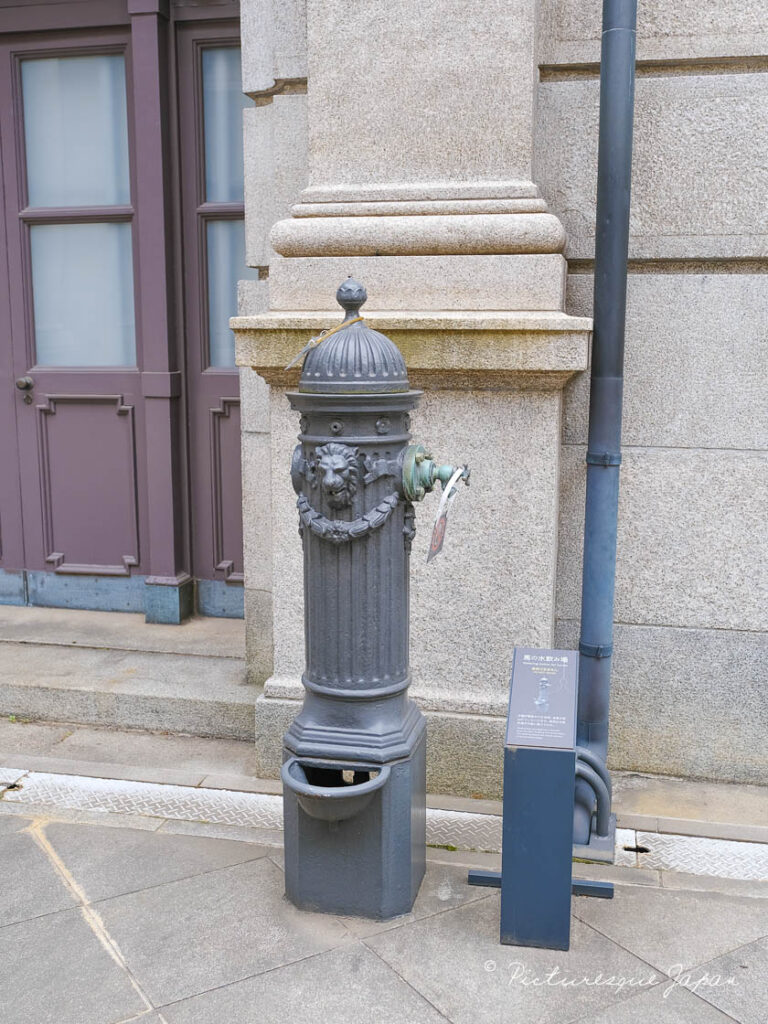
274, 36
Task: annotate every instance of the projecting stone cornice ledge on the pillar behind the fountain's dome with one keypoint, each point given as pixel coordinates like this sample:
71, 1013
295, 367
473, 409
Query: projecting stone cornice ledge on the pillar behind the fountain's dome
478, 351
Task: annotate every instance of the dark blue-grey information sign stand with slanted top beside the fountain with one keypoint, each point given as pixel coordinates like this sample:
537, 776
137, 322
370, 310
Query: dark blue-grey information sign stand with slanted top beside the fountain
540, 771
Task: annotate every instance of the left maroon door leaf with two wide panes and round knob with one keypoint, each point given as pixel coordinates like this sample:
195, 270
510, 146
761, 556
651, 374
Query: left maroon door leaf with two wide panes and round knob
71, 318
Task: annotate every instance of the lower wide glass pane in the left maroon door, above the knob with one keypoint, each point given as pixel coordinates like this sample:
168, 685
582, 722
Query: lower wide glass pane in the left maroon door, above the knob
82, 278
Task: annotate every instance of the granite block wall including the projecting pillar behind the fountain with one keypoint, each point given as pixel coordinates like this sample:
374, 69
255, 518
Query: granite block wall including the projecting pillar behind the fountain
450, 163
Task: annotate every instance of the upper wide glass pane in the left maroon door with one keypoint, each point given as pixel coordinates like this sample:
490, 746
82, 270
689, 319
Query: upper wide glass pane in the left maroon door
76, 132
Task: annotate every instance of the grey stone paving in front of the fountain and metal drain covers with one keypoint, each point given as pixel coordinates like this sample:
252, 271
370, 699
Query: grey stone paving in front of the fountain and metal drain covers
106, 925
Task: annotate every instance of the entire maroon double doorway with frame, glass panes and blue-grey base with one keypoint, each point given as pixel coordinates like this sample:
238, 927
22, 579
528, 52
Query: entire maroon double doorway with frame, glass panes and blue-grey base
121, 228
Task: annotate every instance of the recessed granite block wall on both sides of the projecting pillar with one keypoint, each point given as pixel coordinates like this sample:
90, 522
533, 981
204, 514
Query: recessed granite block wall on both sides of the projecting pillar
691, 678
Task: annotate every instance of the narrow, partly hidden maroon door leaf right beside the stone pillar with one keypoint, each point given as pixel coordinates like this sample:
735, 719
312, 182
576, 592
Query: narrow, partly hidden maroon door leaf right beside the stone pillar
211, 106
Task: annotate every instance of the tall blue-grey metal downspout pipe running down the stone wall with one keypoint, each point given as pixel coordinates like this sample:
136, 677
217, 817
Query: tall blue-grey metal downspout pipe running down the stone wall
605, 448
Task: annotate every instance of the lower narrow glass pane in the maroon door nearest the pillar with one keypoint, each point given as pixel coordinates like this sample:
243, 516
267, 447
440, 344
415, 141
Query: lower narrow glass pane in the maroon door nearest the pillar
227, 266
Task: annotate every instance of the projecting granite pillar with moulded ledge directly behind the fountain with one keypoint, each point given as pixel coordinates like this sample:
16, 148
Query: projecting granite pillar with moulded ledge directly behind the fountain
420, 135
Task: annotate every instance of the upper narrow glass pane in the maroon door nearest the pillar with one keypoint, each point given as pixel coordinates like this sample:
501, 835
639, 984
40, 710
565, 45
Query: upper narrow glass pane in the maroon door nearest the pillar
223, 118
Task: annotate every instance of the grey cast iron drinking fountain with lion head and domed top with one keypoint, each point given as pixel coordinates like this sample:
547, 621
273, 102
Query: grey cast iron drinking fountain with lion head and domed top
355, 758
